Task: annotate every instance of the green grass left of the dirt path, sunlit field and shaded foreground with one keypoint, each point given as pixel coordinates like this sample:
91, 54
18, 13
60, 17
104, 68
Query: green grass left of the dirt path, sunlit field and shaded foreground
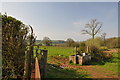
56, 71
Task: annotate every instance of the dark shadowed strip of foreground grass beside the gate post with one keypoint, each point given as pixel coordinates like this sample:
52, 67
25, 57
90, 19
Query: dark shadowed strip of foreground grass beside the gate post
54, 71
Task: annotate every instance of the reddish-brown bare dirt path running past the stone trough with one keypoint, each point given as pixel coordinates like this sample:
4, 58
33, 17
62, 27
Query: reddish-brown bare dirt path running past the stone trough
93, 70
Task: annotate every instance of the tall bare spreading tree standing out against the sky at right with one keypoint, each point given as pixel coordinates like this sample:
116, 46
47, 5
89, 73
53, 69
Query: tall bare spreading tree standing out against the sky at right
93, 27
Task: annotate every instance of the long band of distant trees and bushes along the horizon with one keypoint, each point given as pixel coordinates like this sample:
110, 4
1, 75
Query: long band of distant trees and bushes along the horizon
108, 42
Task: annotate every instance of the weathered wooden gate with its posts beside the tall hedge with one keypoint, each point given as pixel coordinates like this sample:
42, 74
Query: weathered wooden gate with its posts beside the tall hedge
36, 66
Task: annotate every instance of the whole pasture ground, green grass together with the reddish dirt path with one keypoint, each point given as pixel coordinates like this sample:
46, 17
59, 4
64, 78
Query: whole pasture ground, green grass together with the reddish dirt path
59, 67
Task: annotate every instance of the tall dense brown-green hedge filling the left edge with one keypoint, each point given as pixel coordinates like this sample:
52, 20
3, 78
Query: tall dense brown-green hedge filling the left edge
14, 43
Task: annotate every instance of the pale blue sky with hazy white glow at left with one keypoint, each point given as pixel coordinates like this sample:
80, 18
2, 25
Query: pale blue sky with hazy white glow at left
62, 20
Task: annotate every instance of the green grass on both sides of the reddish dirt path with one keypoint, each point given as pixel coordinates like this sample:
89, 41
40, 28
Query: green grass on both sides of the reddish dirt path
110, 64
